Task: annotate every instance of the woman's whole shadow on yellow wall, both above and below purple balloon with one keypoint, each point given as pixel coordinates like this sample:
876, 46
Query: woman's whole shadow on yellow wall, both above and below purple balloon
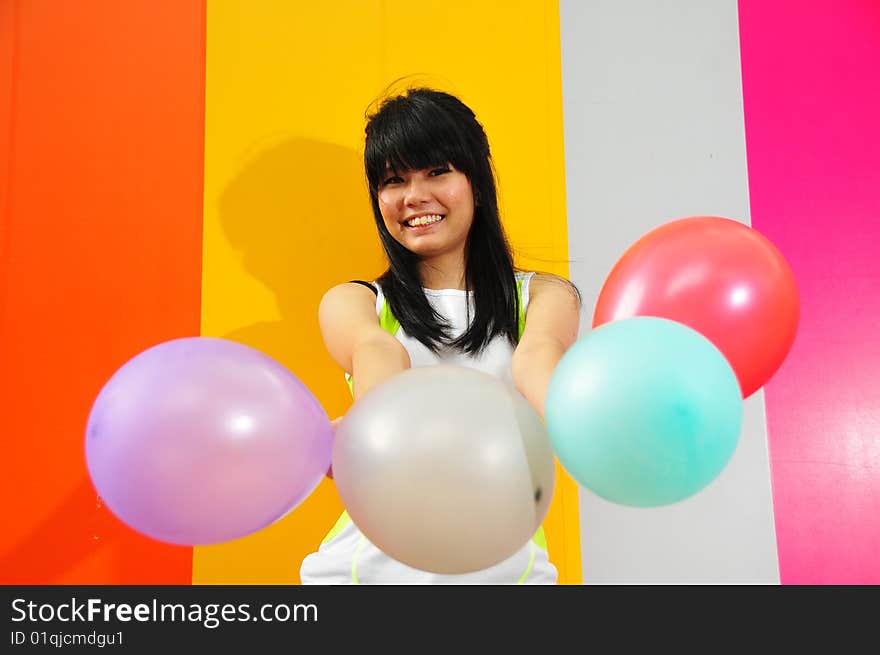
299, 215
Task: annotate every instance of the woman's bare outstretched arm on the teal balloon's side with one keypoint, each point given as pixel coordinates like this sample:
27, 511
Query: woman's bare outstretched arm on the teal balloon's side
552, 321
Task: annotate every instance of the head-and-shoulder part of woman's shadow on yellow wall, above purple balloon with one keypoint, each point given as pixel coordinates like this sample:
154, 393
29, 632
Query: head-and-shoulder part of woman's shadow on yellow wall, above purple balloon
299, 214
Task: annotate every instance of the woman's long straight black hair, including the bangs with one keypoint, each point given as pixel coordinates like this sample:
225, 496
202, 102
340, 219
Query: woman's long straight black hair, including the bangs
425, 128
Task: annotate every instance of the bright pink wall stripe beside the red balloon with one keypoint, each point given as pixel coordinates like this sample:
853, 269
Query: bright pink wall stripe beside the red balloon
811, 92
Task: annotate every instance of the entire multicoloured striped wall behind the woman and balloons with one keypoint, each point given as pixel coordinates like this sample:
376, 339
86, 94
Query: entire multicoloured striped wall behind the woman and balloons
179, 168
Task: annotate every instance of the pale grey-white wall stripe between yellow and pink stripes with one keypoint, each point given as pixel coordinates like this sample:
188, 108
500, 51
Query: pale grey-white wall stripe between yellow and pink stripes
654, 131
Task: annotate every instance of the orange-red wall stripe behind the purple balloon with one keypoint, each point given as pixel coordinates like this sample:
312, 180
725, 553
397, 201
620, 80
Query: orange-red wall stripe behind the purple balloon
102, 231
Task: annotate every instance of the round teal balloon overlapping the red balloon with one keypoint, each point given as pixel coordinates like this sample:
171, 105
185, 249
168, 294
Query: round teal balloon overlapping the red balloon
643, 411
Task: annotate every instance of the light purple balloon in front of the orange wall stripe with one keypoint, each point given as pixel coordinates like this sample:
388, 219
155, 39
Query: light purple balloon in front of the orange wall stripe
203, 440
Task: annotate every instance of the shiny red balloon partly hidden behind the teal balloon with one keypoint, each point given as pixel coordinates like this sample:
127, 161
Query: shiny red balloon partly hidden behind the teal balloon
717, 276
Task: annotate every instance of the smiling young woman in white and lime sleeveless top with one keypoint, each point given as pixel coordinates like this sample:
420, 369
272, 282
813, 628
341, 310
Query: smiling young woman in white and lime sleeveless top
450, 294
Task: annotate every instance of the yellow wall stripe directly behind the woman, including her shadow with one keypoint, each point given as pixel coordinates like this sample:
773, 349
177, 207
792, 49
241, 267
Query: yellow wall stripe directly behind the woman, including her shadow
286, 209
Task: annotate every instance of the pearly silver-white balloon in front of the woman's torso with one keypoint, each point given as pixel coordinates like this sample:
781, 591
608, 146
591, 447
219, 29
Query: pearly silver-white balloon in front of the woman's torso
444, 468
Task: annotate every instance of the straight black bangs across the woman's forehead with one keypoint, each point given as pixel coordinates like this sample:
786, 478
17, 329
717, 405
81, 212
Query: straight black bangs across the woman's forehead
408, 138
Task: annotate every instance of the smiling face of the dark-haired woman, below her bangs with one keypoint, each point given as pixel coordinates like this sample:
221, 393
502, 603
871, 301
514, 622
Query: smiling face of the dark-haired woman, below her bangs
428, 211
